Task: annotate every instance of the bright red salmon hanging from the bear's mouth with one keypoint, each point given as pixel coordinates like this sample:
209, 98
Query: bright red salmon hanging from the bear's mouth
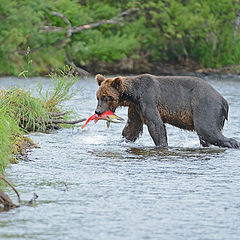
108, 116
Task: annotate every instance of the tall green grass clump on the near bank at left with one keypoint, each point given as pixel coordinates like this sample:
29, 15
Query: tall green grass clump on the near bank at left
21, 112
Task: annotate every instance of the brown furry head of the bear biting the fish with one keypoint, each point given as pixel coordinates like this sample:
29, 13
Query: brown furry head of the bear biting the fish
108, 94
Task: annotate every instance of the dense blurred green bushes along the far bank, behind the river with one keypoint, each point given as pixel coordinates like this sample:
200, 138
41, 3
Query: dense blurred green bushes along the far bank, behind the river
205, 32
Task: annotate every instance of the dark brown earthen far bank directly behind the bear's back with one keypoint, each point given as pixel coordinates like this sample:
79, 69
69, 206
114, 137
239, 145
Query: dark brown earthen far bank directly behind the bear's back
137, 66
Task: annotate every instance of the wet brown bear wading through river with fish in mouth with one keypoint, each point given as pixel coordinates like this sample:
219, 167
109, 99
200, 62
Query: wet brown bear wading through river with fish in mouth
189, 103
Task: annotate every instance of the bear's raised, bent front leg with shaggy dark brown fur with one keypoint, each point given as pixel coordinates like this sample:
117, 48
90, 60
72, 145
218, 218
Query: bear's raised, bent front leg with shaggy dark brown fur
134, 126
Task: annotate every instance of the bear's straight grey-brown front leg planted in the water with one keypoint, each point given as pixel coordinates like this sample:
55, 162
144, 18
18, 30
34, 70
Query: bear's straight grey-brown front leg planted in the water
155, 126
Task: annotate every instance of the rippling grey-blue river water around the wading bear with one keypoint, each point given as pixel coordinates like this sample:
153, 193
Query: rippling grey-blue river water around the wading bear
119, 190
